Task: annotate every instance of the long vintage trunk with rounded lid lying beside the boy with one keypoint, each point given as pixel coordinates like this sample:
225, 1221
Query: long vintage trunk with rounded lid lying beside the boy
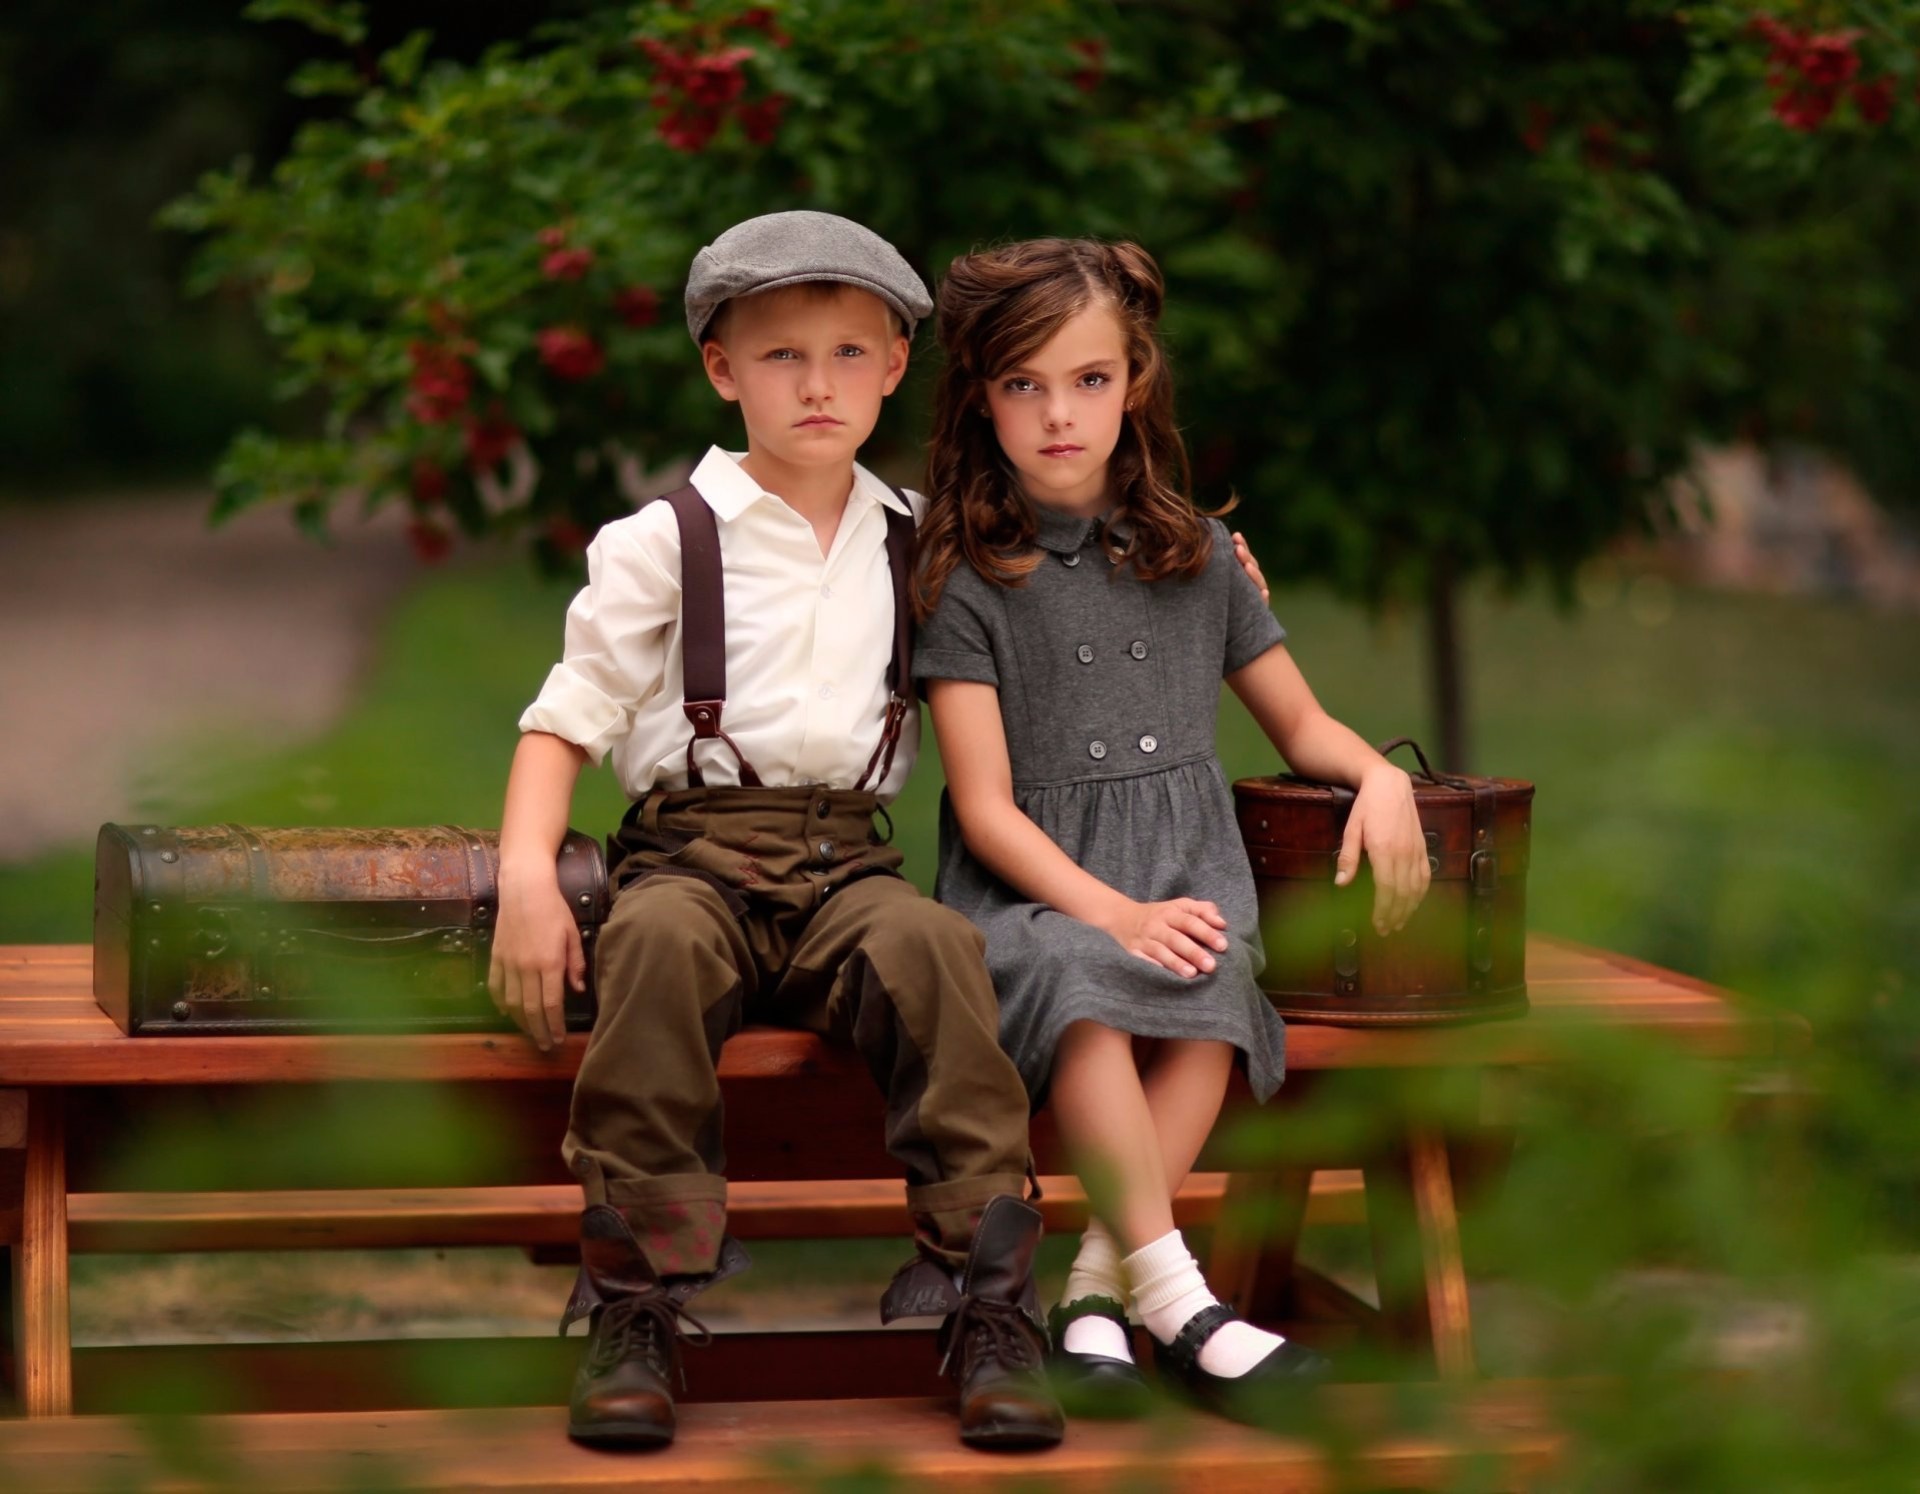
237, 930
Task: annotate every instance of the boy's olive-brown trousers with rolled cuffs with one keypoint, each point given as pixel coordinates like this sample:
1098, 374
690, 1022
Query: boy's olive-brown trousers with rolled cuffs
782, 907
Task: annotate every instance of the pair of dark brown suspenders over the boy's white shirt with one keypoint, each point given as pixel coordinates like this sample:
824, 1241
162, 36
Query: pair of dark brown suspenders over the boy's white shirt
704, 635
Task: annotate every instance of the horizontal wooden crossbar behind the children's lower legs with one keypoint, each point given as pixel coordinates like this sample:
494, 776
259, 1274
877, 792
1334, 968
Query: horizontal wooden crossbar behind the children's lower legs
550, 1215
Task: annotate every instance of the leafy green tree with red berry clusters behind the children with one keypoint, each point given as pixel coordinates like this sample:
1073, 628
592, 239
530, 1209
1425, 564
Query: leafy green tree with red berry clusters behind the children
1454, 291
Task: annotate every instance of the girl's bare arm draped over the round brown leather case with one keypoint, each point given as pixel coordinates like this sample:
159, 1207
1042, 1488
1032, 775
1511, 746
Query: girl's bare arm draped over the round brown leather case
1383, 821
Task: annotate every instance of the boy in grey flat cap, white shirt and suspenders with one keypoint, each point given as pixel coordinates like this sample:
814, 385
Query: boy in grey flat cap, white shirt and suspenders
740, 650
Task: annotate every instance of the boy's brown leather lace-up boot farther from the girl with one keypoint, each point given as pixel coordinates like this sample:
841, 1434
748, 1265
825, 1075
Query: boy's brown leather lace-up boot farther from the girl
625, 1389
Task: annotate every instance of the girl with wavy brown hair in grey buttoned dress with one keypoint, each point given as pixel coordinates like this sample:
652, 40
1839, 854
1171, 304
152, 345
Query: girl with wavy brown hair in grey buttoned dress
1078, 615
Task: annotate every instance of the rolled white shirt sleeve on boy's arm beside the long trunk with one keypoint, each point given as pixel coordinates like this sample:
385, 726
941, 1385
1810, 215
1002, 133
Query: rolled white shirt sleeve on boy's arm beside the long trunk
617, 633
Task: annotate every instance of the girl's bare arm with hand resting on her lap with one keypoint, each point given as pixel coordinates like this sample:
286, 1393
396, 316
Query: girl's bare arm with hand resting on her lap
967, 719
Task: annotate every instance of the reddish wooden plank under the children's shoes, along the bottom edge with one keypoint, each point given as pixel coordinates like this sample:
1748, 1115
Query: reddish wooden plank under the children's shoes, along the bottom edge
1502, 1435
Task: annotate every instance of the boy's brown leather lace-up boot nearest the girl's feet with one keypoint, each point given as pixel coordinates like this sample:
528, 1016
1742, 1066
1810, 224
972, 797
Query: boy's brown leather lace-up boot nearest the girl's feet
994, 1341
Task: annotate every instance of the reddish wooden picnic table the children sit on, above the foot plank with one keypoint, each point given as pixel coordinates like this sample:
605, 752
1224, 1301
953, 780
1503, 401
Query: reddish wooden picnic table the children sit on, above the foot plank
804, 1128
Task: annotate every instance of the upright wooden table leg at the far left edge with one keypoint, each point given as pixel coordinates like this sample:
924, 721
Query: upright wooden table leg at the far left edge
41, 1339
